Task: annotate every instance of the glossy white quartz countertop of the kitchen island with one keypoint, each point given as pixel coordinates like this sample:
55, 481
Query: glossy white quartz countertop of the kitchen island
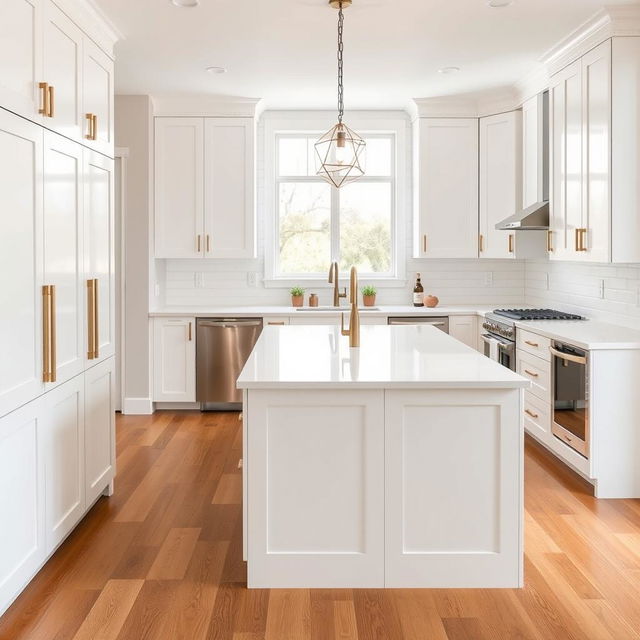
401, 357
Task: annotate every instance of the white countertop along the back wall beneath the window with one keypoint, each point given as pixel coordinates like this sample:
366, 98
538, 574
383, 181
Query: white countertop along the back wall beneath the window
271, 310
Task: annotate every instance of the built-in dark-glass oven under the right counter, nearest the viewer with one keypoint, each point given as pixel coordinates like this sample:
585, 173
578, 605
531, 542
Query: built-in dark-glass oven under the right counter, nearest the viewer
570, 393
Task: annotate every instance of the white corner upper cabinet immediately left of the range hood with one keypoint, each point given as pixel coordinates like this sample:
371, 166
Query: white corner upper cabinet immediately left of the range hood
500, 181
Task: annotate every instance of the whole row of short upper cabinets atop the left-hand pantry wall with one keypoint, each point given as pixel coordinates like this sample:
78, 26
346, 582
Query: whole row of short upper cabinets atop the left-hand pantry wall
53, 73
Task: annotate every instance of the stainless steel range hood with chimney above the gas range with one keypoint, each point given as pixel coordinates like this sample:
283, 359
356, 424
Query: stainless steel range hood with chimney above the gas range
535, 217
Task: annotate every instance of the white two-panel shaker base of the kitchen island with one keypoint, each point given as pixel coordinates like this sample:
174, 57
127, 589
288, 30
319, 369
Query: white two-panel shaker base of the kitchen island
361, 488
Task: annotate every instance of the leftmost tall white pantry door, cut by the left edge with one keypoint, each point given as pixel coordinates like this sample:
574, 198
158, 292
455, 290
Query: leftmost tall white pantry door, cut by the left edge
20, 261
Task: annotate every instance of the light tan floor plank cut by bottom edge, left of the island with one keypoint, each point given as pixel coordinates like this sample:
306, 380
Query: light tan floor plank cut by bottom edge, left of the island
107, 616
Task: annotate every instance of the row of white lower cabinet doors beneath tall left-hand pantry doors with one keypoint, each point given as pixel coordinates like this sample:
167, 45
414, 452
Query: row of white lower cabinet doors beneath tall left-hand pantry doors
57, 455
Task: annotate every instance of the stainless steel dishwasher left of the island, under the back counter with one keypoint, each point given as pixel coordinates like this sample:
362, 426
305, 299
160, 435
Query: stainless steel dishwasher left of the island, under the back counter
223, 346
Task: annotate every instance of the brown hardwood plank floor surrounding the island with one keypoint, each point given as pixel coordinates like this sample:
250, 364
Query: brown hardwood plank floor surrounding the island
162, 559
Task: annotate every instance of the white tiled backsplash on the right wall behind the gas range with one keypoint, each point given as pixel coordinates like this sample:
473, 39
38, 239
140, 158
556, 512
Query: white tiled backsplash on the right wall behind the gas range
604, 292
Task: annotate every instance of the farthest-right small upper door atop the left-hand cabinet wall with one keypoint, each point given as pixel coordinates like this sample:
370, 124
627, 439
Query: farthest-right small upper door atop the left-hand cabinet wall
97, 98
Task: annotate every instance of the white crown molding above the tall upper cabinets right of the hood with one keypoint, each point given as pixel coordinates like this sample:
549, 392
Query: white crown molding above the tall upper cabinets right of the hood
616, 20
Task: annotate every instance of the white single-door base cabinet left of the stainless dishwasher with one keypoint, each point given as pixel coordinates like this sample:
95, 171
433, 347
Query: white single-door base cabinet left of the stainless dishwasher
174, 352
